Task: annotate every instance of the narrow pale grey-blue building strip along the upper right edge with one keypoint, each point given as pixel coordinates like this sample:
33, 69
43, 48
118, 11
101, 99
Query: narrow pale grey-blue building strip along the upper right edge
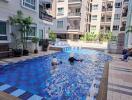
128, 35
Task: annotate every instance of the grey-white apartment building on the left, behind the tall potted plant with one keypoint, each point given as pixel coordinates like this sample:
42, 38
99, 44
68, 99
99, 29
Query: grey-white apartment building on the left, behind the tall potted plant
37, 9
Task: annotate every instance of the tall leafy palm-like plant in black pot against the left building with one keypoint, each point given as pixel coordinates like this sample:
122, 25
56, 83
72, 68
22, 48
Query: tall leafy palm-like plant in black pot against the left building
22, 25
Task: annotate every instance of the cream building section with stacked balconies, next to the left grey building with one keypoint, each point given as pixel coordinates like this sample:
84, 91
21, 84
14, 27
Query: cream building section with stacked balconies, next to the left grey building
68, 17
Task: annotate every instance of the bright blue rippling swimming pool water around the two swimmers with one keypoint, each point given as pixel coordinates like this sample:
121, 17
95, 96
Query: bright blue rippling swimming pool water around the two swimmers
66, 82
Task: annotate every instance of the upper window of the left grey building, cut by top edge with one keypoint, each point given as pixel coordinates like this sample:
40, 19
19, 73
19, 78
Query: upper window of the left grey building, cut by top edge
30, 4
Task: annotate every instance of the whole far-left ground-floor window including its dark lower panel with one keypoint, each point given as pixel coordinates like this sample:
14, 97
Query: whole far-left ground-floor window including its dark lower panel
3, 31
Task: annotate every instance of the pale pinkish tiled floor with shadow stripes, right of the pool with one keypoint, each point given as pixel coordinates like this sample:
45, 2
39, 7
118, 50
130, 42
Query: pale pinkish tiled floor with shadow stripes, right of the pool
120, 79
